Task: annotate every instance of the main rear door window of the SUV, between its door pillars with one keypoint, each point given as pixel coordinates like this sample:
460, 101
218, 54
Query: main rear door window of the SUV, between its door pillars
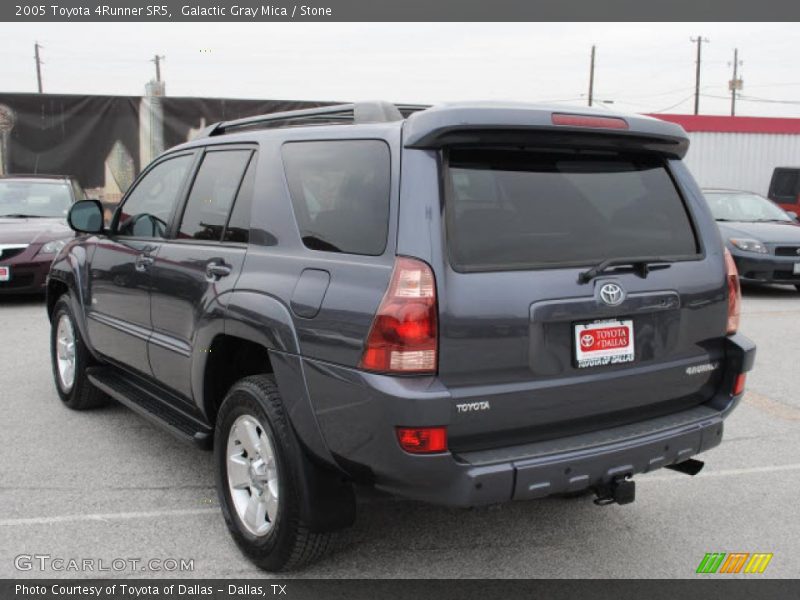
212, 194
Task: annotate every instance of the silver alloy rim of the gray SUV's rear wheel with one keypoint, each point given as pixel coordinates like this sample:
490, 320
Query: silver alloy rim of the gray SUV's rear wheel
252, 475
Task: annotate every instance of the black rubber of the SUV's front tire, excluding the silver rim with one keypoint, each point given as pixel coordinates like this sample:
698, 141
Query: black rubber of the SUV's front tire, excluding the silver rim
81, 395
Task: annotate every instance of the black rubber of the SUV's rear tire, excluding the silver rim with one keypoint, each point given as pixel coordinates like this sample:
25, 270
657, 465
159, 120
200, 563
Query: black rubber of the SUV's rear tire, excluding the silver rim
288, 544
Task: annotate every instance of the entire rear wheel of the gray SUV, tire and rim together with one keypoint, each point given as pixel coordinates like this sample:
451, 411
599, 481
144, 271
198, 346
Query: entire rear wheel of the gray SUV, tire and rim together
259, 468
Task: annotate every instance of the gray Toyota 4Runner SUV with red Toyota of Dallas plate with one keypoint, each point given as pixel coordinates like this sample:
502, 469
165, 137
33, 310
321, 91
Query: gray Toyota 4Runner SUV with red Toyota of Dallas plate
466, 304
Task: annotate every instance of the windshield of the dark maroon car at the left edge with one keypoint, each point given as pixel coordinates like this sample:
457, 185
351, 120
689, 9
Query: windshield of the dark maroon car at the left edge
34, 199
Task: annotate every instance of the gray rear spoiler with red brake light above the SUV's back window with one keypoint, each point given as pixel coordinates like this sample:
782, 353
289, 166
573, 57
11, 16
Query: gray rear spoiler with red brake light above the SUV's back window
531, 125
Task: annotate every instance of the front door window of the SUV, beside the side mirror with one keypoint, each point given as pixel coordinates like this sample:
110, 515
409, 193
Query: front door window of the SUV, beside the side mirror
147, 209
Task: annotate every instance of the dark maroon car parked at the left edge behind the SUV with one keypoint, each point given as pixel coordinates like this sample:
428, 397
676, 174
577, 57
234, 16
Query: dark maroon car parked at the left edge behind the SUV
33, 228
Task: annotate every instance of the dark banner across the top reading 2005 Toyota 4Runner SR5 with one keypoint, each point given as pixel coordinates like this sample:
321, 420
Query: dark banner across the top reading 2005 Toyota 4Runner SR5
398, 10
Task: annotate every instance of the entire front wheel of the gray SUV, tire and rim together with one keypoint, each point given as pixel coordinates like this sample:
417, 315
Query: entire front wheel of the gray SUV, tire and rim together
70, 357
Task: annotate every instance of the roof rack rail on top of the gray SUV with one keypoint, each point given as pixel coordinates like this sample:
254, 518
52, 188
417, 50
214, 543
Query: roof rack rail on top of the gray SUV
351, 113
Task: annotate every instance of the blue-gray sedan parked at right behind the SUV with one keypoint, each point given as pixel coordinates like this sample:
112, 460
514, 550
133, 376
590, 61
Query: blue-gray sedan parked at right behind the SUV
763, 239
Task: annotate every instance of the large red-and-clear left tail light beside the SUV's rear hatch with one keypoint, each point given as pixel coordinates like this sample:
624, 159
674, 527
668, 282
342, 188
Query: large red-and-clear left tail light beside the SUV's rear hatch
403, 336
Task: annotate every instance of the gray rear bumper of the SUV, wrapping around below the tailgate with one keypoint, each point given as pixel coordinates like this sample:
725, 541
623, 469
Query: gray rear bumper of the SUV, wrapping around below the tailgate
358, 412
